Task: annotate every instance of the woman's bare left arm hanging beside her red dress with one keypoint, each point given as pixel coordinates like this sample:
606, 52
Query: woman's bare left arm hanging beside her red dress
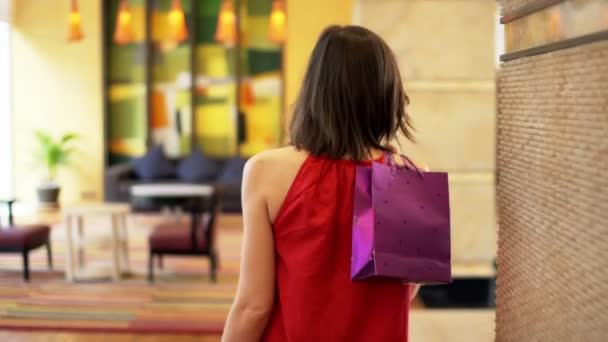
255, 294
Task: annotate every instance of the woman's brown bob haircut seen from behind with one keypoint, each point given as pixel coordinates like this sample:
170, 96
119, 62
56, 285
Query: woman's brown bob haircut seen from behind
352, 99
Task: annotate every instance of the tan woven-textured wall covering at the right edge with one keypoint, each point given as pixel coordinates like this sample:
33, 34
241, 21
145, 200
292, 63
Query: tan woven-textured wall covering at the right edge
552, 165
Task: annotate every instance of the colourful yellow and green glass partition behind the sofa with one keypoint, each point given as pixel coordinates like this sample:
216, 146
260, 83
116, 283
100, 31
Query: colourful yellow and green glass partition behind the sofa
184, 95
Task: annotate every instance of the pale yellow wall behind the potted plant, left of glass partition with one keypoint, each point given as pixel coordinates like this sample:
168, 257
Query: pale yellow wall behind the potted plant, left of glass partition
57, 87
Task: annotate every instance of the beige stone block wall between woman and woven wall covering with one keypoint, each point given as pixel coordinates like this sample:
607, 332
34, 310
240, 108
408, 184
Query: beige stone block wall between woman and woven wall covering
446, 55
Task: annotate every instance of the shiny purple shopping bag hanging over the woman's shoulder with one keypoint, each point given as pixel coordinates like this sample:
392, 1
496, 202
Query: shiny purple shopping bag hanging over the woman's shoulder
401, 224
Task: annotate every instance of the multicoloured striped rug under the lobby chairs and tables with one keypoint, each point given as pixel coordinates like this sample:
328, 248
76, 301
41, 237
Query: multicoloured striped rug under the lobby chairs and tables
182, 300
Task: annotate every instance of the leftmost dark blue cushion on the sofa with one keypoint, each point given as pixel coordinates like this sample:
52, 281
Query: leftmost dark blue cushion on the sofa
154, 165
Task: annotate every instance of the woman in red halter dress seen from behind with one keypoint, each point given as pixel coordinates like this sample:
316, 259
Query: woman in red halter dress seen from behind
298, 203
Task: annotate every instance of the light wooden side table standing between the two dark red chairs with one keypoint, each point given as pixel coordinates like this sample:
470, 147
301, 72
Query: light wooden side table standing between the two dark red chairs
118, 214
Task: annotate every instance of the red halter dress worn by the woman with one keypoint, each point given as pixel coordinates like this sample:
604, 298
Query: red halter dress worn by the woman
315, 298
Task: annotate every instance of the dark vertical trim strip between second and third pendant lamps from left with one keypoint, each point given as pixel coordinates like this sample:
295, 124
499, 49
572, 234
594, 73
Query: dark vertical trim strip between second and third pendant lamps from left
148, 50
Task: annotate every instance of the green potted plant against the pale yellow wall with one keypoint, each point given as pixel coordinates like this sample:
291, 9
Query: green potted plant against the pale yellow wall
52, 155
